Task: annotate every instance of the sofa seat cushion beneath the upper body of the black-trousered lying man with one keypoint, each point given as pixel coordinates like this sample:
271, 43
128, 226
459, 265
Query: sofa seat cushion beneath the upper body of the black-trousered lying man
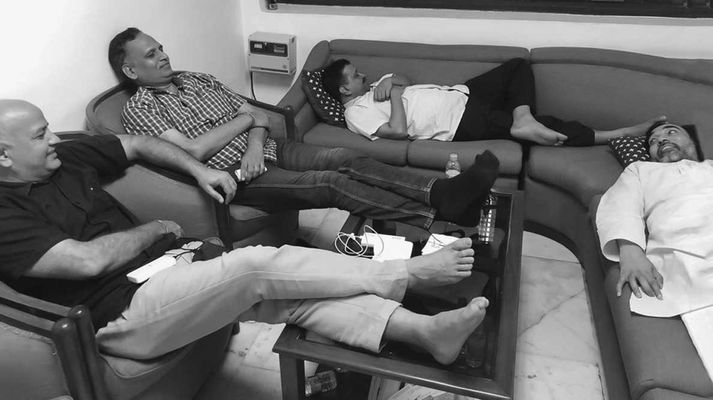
385, 150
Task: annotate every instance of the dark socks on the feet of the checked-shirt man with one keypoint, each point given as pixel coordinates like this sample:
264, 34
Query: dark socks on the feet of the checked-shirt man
459, 199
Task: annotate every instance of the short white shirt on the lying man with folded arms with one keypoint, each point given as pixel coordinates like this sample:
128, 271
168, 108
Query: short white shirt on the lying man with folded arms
432, 111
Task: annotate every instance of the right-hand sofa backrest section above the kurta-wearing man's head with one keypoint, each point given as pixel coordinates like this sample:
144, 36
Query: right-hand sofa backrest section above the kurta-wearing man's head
608, 89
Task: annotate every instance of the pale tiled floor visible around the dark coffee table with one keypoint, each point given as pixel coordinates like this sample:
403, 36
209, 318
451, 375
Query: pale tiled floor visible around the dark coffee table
557, 353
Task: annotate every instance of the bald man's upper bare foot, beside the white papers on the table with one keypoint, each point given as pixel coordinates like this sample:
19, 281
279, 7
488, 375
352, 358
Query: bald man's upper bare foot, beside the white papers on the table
445, 266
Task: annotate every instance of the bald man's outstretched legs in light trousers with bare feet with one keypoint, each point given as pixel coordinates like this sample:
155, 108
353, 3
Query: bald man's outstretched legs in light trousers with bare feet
186, 302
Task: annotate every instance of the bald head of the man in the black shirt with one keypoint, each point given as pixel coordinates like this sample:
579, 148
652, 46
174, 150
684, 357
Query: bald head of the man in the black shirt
26, 143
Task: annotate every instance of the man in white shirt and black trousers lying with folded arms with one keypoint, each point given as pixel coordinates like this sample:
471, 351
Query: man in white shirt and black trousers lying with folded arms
495, 105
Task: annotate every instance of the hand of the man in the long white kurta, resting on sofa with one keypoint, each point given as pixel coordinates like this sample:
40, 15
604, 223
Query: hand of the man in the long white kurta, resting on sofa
637, 271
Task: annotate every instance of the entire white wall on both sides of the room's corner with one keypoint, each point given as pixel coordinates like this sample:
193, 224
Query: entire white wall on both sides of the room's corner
54, 51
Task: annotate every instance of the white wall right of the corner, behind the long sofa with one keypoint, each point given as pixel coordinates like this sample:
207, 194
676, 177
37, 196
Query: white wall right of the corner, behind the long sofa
670, 37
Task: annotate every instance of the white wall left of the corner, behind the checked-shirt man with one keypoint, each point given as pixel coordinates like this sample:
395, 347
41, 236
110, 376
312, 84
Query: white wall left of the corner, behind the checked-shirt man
55, 51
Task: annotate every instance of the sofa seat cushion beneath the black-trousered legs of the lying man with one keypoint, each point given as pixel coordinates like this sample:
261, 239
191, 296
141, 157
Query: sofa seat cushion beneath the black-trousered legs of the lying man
433, 154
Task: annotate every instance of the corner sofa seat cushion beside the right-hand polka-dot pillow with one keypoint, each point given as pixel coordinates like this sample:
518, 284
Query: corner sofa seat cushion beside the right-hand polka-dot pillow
581, 171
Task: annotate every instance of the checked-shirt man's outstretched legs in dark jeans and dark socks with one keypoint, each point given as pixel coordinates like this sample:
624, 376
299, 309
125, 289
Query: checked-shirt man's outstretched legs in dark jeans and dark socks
308, 176
